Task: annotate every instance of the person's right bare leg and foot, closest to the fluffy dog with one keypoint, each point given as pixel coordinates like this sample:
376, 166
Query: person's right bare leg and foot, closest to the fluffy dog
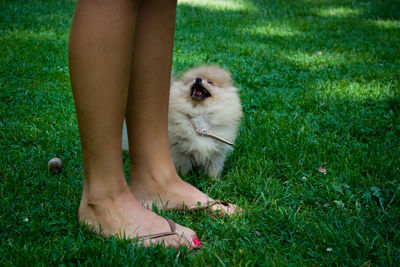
153, 176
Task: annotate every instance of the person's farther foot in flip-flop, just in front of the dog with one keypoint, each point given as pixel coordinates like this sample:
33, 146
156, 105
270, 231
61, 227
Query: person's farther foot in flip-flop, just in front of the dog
168, 191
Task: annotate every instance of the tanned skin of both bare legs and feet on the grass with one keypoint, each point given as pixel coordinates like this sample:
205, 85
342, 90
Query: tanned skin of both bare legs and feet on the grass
120, 56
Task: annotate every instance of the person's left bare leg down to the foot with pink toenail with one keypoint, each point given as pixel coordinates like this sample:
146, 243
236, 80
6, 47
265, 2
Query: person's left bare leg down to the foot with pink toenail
100, 52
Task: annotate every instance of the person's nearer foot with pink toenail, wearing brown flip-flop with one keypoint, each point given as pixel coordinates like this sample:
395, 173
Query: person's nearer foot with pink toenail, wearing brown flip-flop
123, 216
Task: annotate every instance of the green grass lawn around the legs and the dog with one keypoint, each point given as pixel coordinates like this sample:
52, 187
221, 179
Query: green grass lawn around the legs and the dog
319, 82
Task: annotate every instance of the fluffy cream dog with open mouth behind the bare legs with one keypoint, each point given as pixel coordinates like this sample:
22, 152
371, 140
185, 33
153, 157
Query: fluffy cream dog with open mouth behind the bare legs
203, 98
